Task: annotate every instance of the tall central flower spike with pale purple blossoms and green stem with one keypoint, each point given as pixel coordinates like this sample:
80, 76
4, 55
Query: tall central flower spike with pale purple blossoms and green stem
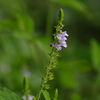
59, 41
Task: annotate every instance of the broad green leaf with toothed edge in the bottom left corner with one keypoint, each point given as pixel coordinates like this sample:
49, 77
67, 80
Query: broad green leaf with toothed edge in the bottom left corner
6, 94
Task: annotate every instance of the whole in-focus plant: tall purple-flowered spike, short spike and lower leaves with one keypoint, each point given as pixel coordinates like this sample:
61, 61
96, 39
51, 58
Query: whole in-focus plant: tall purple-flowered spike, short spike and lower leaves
59, 42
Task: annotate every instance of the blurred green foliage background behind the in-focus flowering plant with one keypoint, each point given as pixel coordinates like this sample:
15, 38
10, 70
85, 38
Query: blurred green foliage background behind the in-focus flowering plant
26, 28
